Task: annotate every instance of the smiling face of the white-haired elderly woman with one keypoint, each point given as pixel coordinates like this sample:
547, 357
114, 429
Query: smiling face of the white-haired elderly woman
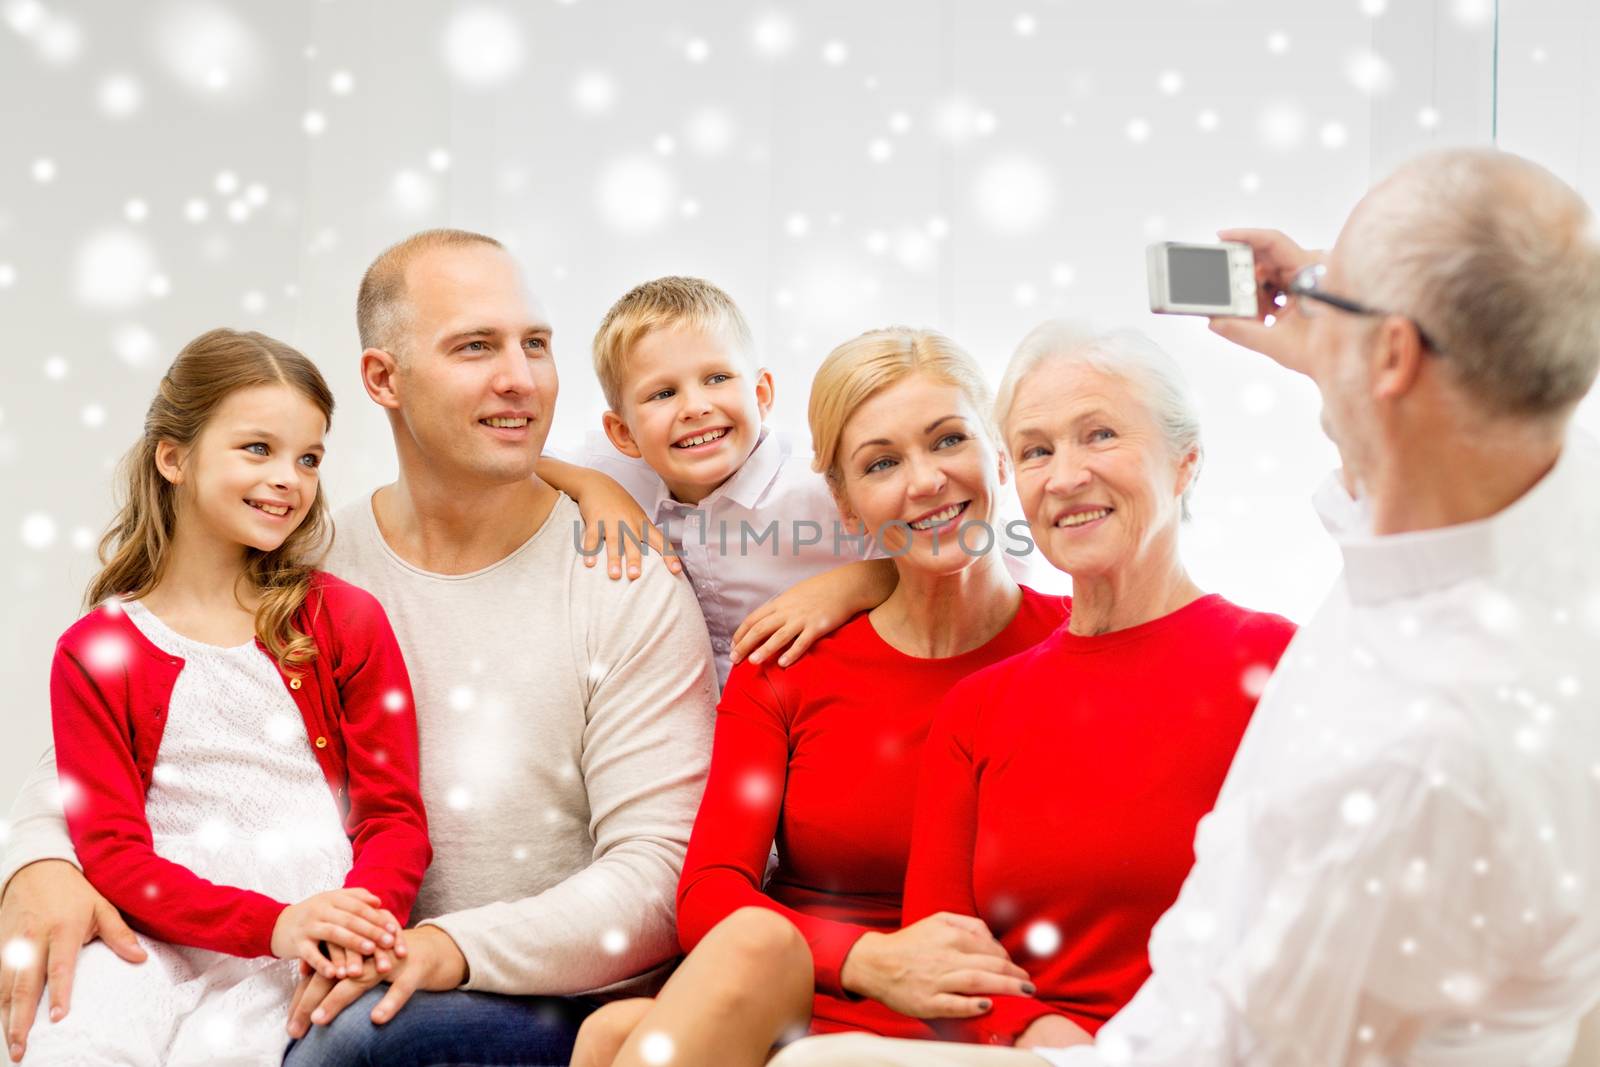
1098, 479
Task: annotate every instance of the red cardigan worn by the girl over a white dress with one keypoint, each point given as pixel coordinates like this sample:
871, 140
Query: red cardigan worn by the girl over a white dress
110, 689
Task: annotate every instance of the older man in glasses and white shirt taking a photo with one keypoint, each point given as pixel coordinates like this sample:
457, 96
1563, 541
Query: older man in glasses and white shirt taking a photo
1404, 863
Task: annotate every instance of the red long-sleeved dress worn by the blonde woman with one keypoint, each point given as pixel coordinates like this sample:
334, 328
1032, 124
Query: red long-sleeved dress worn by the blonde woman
822, 757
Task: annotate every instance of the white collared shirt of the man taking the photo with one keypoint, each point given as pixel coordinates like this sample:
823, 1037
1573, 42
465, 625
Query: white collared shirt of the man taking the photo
1404, 865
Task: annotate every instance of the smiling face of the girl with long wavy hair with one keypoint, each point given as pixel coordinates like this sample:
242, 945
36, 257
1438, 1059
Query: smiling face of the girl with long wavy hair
252, 476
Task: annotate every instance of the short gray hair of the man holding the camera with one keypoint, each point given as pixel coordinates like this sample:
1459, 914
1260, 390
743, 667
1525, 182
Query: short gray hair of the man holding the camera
1498, 262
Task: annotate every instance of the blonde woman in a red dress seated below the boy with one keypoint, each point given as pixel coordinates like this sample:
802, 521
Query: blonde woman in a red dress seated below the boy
823, 757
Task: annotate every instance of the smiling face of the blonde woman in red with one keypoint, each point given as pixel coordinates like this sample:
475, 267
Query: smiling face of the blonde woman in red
919, 471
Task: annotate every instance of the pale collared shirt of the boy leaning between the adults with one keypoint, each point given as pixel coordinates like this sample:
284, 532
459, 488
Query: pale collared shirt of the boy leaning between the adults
783, 516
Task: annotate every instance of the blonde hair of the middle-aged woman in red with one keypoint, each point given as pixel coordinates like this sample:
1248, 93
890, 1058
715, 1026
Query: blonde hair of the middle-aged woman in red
866, 366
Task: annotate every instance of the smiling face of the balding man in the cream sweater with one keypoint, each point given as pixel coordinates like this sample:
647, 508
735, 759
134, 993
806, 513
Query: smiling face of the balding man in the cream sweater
474, 380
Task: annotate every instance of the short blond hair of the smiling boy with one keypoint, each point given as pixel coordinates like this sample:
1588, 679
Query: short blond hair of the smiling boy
662, 305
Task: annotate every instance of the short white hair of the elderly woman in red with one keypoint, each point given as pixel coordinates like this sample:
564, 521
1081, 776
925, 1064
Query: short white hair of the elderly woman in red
1126, 354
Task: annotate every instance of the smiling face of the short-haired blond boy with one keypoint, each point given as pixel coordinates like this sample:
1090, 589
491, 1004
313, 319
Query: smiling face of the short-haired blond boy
692, 407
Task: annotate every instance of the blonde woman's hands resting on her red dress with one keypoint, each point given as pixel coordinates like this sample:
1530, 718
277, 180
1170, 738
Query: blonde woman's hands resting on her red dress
943, 967
